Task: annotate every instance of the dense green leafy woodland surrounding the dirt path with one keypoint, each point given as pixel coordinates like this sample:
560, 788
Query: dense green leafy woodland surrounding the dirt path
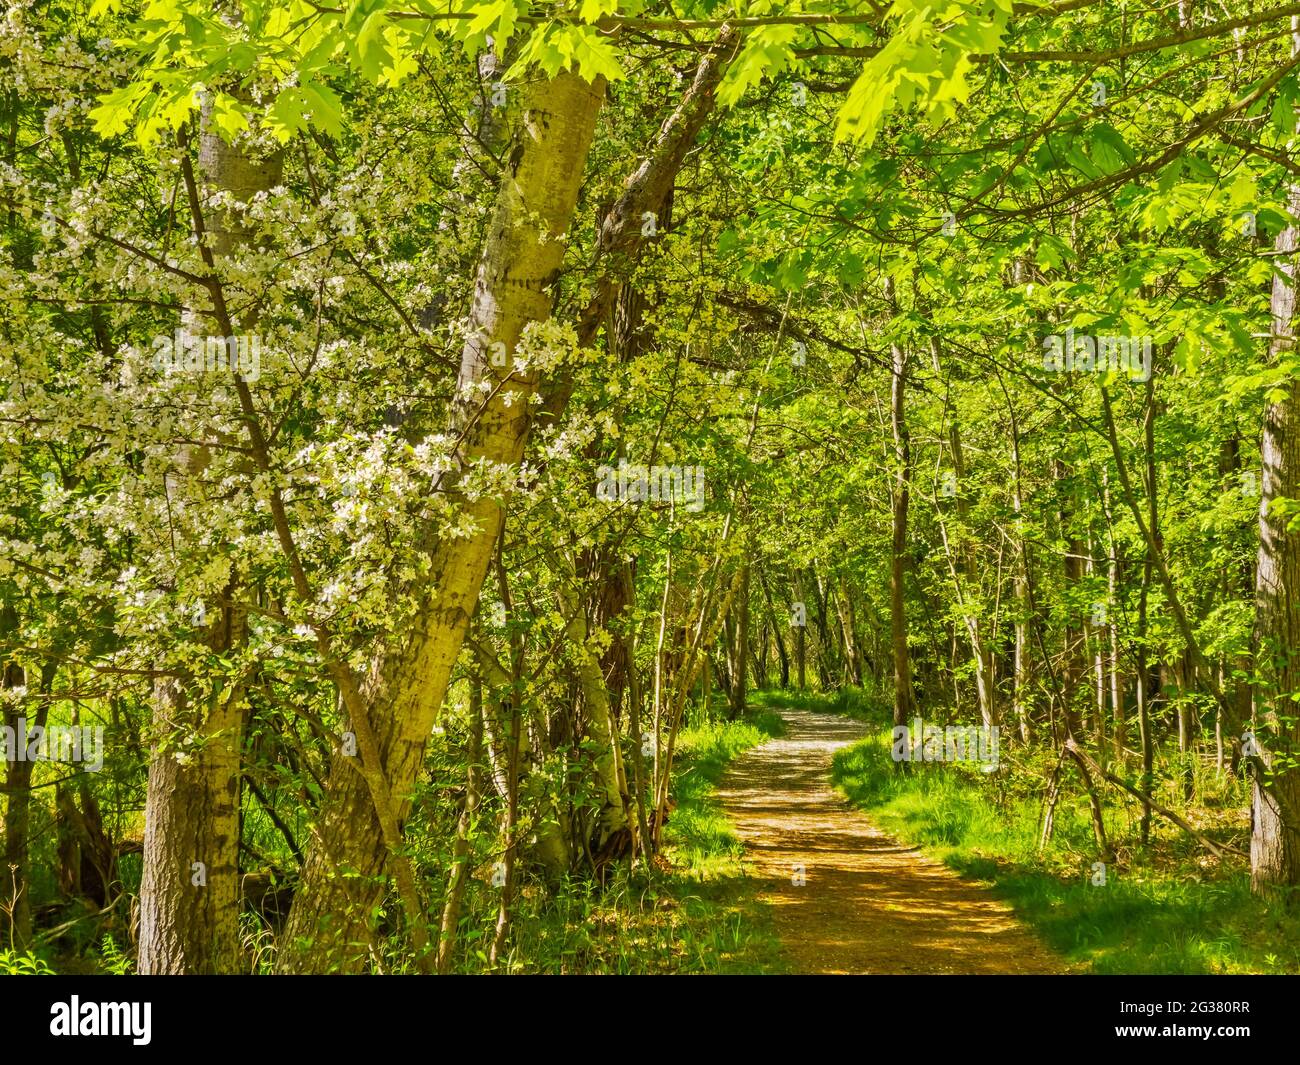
385, 686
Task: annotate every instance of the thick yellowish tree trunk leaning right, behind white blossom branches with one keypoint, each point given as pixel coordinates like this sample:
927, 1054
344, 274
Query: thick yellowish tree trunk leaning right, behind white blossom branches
343, 880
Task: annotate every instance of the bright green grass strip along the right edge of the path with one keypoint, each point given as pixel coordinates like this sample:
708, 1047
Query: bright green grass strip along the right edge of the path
1167, 911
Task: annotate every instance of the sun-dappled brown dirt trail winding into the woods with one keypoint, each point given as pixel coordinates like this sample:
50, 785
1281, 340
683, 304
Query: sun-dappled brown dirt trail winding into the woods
869, 904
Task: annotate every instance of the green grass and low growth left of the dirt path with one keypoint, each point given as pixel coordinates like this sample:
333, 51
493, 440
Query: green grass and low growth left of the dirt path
694, 914
